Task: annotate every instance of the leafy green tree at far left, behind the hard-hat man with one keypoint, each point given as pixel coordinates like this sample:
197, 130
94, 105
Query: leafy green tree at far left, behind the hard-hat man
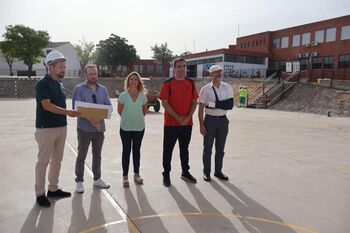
28, 43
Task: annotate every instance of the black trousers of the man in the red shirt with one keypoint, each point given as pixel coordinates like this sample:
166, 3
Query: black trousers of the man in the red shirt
171, 135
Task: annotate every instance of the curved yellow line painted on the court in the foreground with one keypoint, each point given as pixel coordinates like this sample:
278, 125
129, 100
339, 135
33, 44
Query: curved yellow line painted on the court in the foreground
176, 214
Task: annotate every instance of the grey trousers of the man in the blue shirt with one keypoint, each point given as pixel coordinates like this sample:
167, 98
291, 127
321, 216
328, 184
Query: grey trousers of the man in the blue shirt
84, 139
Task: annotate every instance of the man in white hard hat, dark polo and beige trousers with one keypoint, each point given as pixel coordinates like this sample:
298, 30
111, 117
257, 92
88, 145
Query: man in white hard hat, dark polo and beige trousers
51, 128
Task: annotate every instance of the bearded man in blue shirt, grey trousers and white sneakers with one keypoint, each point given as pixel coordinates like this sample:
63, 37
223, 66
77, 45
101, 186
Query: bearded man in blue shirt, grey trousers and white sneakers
90, 126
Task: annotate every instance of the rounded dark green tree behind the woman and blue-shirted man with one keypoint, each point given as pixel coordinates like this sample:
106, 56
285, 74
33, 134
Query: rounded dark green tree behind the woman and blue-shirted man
115, 51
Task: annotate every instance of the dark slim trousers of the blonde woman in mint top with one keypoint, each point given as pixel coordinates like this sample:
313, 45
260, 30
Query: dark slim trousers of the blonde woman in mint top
134, 139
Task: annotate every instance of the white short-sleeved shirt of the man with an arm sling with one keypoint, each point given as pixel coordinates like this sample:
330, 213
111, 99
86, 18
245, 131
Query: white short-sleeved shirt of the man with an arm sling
207, 97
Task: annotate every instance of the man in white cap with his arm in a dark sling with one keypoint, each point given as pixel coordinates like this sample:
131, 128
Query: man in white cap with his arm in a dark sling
216, 98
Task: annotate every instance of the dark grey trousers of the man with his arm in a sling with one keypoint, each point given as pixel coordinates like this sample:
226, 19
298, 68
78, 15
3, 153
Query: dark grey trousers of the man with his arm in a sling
217, 129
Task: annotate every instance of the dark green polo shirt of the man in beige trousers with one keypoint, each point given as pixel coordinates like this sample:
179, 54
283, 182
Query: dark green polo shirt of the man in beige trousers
47, 88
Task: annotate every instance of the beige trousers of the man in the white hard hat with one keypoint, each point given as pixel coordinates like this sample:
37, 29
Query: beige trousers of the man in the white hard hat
51, 143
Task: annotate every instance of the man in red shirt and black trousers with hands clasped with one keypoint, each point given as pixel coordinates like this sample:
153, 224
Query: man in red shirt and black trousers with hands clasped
179, 99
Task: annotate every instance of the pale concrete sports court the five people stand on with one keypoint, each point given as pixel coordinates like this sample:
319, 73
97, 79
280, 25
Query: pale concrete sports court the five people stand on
289, 173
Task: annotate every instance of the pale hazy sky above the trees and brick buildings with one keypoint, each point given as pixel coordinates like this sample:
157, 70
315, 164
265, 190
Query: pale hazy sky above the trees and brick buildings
186, 25
